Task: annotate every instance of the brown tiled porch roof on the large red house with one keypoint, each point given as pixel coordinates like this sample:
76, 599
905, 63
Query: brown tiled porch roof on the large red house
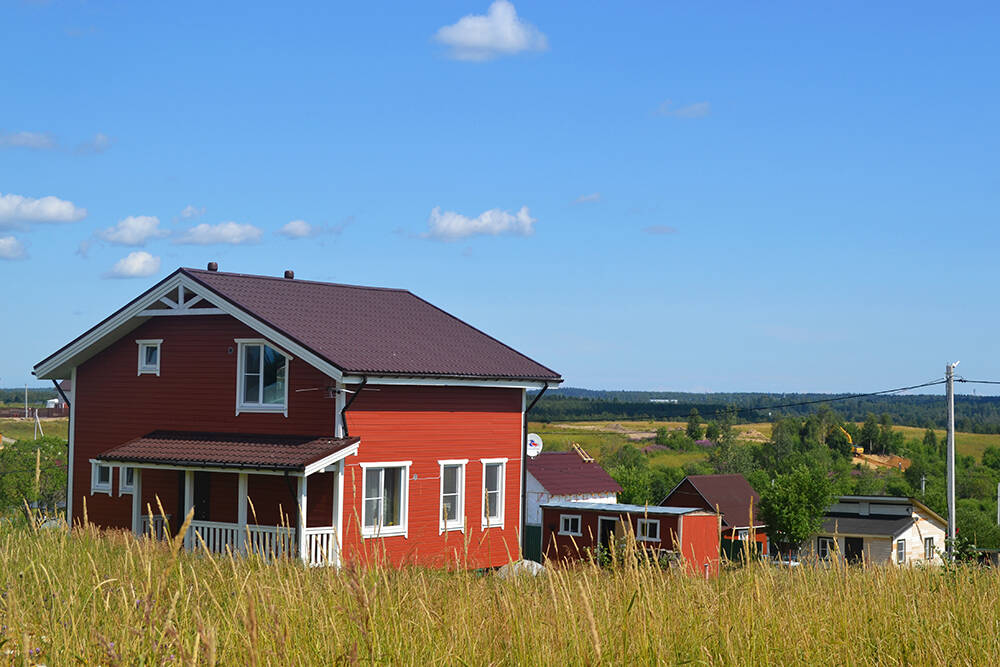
227, 450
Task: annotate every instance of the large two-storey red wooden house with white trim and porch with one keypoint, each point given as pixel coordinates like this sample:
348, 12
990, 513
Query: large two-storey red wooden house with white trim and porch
332, 422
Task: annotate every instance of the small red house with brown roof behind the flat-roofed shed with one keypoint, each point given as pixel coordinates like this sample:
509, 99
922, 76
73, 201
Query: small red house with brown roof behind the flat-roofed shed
734, 498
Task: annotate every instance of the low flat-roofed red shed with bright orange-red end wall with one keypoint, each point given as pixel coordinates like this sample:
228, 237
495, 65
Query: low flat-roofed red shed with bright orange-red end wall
573, 530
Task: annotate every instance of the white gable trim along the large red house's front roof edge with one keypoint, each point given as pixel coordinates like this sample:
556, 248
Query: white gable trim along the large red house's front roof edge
136, 311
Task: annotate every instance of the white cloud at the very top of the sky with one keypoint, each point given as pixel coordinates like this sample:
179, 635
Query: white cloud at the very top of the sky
500, 32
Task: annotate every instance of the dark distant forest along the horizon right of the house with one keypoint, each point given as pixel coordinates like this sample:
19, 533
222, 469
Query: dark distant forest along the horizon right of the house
973, 414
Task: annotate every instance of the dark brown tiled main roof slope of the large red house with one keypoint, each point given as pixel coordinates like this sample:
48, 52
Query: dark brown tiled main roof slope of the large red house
373, 330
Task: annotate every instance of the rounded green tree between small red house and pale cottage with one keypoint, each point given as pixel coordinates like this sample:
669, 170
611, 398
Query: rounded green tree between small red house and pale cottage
793, 506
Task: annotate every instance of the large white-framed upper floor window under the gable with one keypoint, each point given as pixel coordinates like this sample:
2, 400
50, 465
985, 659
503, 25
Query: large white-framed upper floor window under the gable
262, 378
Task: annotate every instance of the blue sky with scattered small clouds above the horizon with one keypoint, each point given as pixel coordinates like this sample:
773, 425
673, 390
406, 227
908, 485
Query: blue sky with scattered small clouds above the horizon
683, 196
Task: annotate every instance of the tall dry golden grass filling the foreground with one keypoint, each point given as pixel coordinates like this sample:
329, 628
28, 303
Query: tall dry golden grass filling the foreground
93, 597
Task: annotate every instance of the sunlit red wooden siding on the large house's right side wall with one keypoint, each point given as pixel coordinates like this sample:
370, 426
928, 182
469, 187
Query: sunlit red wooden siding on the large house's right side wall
425, 425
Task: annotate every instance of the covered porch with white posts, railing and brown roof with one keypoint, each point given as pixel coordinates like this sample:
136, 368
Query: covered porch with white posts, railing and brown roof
248, 495
